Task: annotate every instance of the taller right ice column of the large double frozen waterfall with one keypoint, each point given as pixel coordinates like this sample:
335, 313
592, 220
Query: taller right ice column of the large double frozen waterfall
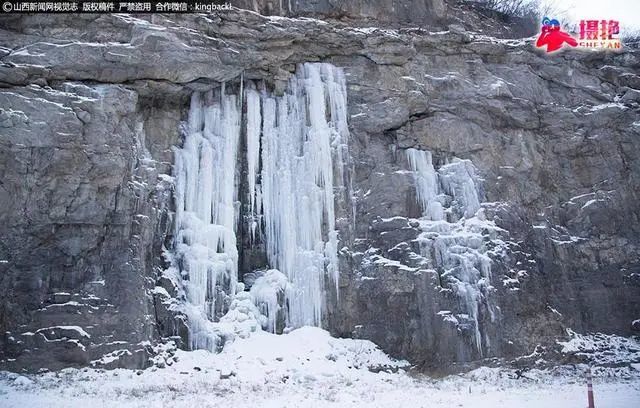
304, 136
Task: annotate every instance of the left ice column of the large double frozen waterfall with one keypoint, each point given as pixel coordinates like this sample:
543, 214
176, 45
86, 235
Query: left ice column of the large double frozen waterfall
205, 239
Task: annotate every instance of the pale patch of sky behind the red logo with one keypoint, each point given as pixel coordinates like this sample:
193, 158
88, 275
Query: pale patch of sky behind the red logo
627, 12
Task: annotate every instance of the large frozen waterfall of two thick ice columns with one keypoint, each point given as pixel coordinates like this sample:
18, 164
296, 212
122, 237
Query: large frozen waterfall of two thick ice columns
295, 148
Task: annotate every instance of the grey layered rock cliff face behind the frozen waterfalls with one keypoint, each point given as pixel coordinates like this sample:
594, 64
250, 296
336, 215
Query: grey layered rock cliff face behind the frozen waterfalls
92, 105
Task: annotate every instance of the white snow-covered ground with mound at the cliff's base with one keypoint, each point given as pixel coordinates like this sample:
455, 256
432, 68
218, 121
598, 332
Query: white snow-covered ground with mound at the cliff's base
308, 368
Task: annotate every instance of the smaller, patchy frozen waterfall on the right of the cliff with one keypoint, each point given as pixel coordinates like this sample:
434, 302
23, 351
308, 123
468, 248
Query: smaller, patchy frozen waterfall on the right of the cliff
452, 233
